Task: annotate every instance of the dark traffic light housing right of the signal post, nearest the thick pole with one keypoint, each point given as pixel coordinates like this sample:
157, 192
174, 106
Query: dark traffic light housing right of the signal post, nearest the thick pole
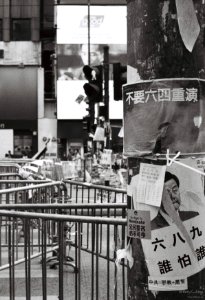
119, 78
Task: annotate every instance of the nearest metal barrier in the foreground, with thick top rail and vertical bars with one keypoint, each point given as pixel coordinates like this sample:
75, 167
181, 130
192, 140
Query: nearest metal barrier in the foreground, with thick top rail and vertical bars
95, 275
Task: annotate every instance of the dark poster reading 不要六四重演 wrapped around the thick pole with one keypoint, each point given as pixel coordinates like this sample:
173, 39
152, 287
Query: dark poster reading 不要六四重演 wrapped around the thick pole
164, 114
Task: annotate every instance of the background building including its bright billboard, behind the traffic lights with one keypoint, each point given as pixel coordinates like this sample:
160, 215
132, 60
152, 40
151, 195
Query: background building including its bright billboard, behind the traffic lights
42, 51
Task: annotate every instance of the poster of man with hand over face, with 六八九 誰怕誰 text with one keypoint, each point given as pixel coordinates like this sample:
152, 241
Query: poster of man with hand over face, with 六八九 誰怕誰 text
177, 244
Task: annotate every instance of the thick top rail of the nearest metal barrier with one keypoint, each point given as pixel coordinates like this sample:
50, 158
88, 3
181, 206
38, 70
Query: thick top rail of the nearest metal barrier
69, 218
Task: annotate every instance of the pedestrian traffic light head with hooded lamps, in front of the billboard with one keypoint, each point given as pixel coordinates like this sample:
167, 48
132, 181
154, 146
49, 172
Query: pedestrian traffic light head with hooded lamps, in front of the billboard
93, 89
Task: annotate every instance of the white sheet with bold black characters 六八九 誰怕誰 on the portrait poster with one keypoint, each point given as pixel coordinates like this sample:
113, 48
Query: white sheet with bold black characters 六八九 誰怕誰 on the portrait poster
169, 254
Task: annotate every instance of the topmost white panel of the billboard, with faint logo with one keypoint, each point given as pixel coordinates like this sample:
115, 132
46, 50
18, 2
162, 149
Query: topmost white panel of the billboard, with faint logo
105, 22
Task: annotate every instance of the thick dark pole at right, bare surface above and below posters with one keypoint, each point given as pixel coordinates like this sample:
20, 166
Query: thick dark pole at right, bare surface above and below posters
165, 40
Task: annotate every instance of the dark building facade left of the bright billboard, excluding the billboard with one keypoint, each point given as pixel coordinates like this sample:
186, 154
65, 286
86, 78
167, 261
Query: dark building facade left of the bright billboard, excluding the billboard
28, 78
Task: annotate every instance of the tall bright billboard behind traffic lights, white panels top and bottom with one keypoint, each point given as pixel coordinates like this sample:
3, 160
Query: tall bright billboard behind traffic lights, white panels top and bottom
108, 27
